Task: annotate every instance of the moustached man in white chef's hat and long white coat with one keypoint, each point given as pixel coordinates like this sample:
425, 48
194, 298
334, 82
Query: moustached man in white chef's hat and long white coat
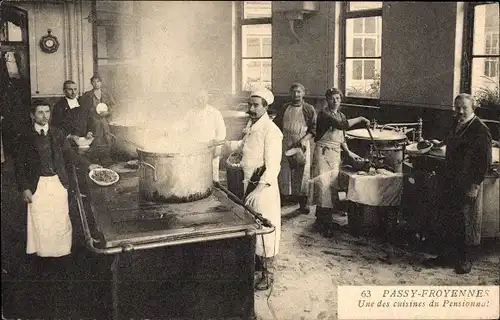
261, 158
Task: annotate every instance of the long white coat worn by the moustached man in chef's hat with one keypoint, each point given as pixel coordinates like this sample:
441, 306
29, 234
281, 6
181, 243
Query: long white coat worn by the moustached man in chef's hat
262, 146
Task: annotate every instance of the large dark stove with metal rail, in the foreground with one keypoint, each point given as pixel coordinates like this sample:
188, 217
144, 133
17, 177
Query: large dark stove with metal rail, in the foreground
185, 261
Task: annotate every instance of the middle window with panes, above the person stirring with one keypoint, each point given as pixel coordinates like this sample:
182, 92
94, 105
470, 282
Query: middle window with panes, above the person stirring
361, 49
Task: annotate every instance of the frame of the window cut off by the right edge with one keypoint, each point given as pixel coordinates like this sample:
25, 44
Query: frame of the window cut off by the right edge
468, 46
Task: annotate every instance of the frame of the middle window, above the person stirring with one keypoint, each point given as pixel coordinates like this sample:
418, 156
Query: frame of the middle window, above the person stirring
346, 14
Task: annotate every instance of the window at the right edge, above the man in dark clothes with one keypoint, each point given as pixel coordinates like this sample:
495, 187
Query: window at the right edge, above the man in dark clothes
482, 55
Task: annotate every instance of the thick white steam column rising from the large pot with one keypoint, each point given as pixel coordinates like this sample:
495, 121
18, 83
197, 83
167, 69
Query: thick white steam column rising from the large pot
171, 73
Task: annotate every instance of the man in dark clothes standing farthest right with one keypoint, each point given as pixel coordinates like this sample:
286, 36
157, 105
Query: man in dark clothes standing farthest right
468, 158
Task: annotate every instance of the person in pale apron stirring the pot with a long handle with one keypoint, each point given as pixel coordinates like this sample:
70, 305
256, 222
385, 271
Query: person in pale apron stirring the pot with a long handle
330, 141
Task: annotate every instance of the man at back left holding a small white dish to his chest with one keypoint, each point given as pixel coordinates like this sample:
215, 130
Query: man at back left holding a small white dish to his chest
100, 104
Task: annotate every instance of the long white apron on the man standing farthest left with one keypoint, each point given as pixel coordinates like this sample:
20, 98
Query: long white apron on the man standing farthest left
49, 226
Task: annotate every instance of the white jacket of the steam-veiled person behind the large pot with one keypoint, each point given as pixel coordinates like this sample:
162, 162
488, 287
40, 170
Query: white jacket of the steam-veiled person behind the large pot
207, 124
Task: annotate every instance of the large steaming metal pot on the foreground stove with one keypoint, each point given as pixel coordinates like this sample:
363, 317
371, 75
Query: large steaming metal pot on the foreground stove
179, 177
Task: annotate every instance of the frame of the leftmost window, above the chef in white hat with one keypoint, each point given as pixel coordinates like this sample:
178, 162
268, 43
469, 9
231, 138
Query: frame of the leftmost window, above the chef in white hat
240, 22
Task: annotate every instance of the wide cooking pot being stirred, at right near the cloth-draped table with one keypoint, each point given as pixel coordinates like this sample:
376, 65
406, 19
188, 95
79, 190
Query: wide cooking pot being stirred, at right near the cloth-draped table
390, 144
